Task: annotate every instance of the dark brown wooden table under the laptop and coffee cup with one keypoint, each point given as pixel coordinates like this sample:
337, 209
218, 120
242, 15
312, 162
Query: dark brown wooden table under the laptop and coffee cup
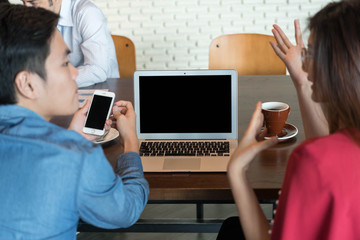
266, 172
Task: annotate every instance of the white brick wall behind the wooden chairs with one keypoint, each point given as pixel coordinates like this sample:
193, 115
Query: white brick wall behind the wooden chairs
176, 34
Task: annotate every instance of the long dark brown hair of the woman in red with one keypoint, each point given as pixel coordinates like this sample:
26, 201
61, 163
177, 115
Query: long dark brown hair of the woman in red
336, 51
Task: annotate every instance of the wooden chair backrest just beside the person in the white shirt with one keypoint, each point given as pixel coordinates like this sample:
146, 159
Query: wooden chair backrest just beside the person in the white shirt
125, 55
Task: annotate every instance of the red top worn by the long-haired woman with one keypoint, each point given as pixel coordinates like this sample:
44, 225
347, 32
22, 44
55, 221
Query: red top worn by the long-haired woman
320, 197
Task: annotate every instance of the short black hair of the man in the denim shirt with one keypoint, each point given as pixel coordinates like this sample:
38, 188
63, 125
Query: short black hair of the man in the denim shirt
25, 35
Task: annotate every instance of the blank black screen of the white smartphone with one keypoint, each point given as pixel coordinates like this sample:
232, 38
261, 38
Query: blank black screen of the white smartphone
98, 112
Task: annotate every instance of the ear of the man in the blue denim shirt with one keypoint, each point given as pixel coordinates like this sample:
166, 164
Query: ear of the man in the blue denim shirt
25, 86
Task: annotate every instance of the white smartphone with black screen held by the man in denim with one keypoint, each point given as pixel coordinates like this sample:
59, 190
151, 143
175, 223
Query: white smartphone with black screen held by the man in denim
99, 111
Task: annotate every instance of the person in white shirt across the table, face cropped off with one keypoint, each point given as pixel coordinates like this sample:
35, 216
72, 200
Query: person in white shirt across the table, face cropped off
84, 29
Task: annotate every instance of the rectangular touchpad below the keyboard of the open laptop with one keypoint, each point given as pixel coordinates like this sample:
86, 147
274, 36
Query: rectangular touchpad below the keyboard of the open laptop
182, 164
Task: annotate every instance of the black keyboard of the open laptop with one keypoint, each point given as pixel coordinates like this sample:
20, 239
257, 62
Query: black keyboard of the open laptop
201, 148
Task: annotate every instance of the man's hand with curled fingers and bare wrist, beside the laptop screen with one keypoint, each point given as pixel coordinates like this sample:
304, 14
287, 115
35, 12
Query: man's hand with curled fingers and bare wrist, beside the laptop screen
123, 112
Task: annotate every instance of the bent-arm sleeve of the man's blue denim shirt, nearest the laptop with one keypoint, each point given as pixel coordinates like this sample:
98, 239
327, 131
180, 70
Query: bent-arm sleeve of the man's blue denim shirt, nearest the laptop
112, 200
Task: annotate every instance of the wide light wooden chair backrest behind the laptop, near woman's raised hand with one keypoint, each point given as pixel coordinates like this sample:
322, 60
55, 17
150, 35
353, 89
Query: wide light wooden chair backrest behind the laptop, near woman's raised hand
249, 54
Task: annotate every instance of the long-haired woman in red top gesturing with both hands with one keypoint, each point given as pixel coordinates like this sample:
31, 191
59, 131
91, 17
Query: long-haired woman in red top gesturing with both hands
321, 190
